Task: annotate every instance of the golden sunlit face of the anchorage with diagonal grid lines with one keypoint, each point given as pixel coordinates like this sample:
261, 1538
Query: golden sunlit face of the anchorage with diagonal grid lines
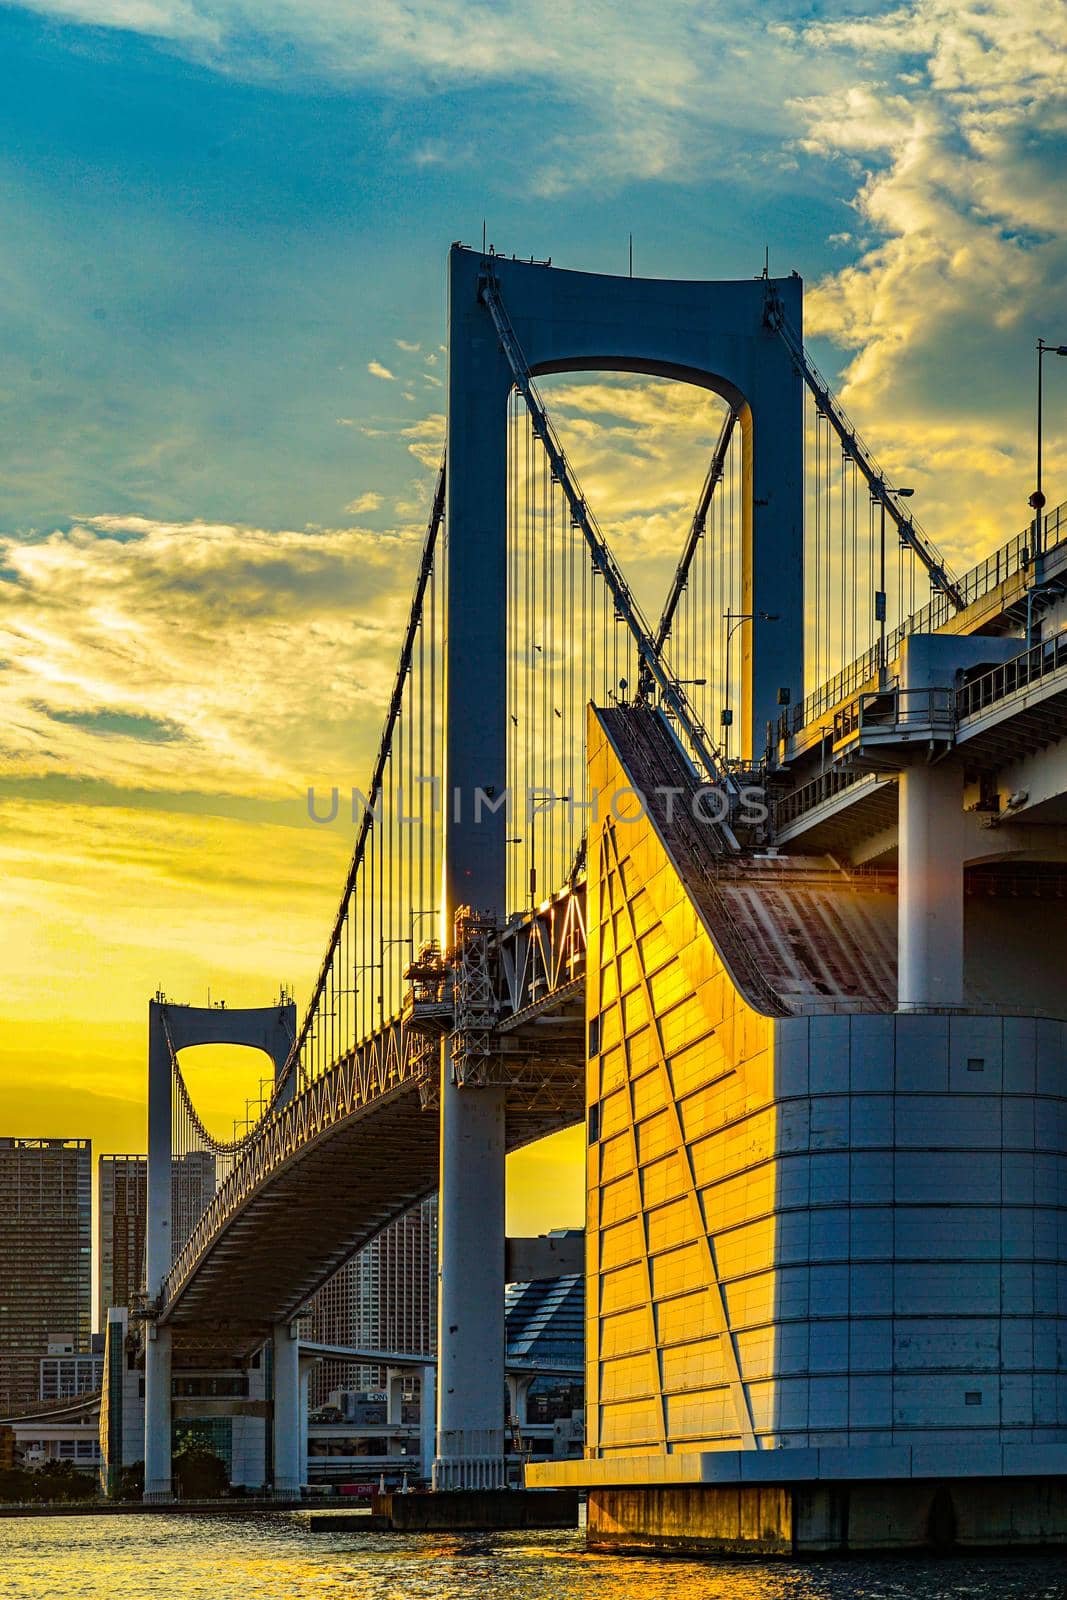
679, 1294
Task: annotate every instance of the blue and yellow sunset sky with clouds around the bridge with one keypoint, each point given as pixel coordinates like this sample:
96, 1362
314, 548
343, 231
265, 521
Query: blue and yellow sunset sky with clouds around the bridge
223, 242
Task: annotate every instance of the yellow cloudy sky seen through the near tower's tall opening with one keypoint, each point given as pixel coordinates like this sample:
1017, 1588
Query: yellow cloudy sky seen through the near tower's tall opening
660, 458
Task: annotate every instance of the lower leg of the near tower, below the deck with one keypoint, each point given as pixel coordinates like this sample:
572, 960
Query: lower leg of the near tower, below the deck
471, 1298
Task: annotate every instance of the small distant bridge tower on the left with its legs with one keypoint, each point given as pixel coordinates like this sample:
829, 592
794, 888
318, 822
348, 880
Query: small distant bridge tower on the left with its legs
174, 1028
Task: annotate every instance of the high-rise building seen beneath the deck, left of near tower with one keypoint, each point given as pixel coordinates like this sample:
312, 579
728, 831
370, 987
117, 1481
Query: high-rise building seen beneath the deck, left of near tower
385, 1298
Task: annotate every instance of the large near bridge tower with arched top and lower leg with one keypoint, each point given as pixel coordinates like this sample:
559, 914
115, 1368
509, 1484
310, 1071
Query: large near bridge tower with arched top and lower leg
711, 335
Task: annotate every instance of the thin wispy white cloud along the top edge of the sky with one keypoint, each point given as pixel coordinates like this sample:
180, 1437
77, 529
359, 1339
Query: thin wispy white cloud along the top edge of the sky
618, 92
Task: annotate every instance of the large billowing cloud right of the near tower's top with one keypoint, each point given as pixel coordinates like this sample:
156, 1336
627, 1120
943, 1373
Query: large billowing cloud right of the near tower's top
953, 138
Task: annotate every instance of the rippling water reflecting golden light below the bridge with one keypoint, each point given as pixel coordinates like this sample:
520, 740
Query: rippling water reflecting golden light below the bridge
273, 1559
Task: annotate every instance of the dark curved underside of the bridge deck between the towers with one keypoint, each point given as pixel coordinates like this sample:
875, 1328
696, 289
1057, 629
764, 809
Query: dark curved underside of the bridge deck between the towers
324, 1206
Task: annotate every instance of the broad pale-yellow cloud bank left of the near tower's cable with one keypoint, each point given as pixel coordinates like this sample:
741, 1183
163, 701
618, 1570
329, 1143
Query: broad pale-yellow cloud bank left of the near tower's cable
106, 630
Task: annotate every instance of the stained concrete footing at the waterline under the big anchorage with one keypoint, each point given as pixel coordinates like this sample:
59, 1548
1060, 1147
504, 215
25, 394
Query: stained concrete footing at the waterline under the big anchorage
828, 1519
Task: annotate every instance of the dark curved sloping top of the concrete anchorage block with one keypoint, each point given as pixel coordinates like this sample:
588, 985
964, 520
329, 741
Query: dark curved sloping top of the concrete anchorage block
796, 934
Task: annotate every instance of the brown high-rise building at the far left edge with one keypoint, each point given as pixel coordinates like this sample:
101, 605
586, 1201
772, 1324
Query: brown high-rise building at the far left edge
46, 1257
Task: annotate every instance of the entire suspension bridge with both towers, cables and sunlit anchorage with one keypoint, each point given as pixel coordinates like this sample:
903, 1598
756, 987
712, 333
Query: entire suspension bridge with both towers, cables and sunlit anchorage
589, 887
